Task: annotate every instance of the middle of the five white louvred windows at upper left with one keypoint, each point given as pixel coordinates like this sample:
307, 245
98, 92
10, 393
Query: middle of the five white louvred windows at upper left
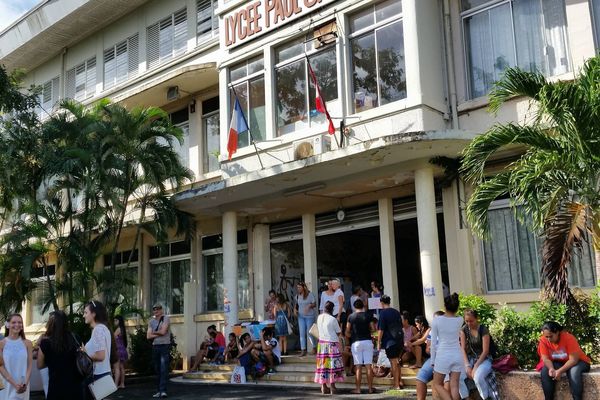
121, 62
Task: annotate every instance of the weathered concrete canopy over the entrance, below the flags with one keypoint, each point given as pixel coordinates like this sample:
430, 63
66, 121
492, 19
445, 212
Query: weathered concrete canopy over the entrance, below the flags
316, 184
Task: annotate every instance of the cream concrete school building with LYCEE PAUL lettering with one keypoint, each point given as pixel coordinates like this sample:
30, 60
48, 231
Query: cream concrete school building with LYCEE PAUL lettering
403, 80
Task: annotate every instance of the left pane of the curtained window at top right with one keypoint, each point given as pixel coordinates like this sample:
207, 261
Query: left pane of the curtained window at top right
489, 54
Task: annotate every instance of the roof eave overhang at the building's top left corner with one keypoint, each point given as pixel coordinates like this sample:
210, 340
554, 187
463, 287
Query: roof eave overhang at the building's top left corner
53, 25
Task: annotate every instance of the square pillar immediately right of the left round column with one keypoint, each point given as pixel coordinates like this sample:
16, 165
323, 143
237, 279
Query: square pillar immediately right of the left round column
261, 258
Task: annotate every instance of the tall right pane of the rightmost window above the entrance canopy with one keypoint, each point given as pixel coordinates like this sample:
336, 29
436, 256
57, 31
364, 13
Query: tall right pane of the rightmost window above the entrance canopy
390, 54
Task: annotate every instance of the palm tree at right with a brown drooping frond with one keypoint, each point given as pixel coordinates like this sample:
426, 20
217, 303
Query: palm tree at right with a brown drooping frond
555, 182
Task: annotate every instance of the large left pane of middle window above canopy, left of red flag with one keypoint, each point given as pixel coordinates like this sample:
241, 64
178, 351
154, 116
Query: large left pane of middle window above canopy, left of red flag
291, 97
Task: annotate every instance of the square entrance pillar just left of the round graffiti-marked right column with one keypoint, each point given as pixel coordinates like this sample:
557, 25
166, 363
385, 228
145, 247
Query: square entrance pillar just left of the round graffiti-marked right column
387, 238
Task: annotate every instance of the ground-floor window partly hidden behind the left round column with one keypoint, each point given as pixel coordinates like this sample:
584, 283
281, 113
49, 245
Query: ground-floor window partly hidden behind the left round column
212, 254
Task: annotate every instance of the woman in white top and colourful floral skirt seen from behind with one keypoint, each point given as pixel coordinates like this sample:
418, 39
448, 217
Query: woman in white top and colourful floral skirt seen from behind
330, 367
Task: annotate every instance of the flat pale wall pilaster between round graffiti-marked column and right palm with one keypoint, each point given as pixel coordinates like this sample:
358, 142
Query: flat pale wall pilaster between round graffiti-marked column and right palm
459, 248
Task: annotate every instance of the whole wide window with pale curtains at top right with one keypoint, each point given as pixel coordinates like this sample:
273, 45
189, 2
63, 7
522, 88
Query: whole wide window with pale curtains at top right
530, 34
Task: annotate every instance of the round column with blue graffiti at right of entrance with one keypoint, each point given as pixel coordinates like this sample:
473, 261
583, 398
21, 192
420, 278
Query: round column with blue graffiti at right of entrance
433, 295
